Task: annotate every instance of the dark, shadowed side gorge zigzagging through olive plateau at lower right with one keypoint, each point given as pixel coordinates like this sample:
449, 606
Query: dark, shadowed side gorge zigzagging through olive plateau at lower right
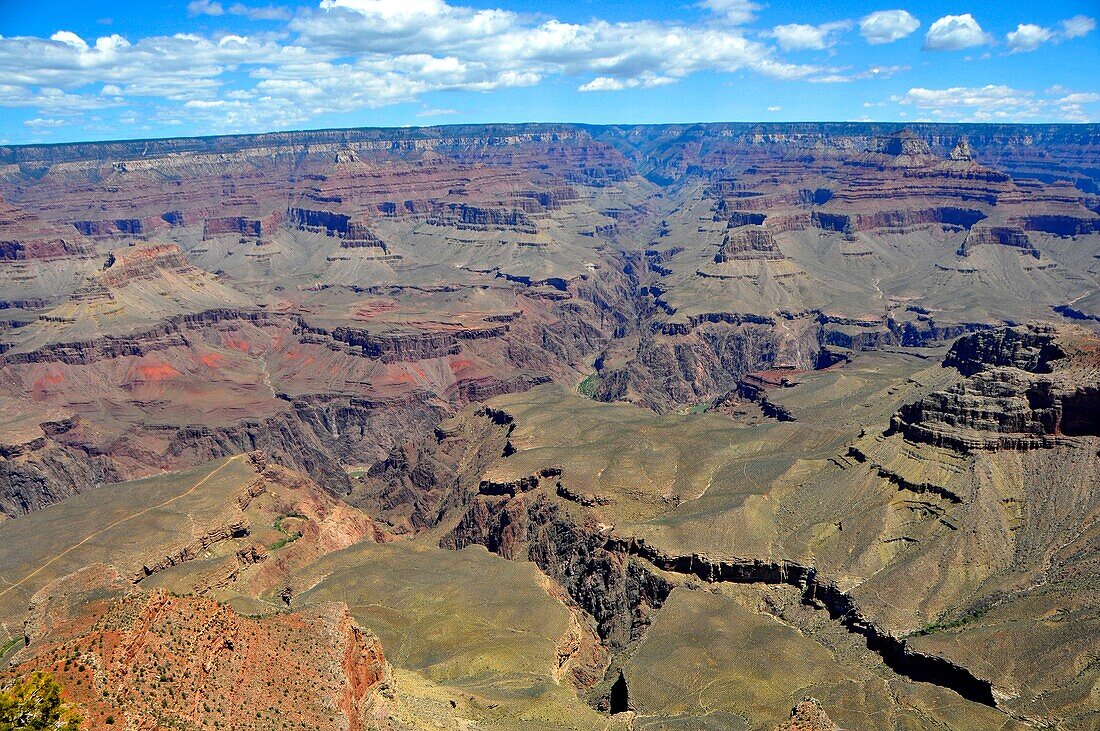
599, 572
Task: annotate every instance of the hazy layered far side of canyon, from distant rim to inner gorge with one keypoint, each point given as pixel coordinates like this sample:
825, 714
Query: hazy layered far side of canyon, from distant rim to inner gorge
326, 294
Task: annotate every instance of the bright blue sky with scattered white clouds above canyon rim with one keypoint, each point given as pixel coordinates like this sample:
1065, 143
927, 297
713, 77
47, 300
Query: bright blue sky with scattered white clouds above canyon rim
73, 71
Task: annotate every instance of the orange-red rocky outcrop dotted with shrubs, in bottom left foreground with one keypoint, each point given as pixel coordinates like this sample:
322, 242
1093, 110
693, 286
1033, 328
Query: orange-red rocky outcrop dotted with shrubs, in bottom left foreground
152, 660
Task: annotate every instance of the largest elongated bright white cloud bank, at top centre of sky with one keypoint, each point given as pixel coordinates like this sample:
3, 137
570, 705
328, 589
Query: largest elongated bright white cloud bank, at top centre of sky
614, 56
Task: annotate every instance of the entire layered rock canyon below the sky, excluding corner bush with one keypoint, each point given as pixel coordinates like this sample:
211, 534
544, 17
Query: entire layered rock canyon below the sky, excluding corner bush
554, 426
